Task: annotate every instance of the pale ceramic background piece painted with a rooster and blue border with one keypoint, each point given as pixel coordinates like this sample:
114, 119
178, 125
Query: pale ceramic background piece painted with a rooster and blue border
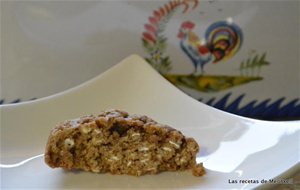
238, 56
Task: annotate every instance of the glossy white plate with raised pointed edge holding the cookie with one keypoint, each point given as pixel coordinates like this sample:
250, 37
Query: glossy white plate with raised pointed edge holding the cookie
232, 147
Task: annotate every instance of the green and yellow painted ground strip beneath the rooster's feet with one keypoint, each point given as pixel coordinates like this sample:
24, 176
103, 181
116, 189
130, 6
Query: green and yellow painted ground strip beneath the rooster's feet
209, 83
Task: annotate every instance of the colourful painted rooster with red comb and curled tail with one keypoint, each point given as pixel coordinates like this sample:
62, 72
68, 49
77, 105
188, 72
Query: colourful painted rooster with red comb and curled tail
222, 40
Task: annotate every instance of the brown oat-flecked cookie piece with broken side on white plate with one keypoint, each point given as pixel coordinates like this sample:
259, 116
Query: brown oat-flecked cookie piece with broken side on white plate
119, 143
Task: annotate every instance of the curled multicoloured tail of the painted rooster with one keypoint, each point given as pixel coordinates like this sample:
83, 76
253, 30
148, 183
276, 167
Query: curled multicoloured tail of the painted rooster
224, 40
